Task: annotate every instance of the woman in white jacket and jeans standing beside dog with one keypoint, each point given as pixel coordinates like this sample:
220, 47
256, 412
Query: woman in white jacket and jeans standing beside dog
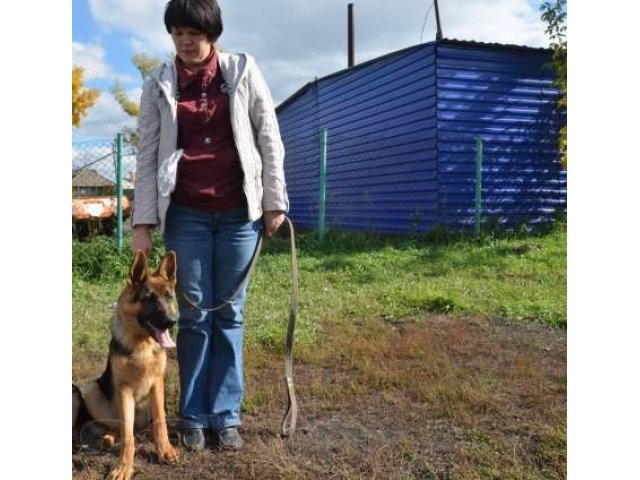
210, 175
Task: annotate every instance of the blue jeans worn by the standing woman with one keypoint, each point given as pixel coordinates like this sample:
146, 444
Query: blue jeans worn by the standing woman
213, 252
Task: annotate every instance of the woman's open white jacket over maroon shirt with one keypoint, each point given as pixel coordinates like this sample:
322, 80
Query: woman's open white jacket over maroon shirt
255, 129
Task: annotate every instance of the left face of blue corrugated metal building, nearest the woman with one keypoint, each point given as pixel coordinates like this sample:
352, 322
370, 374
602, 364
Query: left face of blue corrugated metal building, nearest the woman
381, 168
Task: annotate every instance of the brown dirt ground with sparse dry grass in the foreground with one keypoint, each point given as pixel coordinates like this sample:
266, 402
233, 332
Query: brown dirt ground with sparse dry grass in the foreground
418, 398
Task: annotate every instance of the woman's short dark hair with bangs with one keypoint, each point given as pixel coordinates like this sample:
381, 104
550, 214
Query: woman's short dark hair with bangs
203, 15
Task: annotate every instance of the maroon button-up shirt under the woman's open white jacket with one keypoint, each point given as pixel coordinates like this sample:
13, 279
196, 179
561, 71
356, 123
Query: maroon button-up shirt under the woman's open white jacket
210, 177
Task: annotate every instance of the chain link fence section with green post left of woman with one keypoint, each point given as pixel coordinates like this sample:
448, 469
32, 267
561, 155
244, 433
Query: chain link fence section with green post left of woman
95, 182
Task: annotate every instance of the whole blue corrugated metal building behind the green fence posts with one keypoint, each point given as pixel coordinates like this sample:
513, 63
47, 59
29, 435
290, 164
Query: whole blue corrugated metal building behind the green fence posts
402, 130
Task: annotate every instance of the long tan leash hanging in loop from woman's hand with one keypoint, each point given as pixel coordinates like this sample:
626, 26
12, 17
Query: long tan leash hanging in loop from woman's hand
288, 425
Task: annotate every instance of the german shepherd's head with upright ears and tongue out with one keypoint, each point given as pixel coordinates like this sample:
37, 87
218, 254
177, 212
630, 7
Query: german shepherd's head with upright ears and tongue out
152, 296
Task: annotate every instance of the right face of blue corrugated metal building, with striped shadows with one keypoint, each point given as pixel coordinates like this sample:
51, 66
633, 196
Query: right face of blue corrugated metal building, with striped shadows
505, 96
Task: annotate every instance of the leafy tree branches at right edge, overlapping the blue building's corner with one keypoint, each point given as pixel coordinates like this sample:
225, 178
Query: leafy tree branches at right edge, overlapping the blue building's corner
554, 14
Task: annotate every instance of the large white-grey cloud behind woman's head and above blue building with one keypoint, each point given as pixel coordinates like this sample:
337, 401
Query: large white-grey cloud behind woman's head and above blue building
295, 41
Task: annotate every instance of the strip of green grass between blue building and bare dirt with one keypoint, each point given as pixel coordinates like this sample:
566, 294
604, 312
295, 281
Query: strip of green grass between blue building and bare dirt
517, 277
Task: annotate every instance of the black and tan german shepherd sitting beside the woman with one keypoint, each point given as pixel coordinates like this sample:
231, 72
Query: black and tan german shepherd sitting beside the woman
131, 389
